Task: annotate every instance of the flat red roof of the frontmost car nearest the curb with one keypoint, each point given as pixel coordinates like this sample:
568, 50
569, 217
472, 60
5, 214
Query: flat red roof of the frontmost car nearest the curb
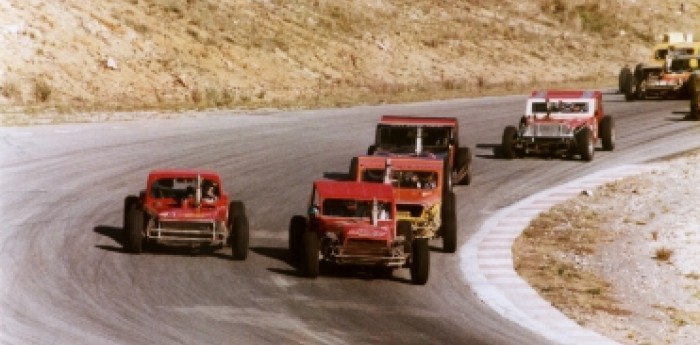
353, 190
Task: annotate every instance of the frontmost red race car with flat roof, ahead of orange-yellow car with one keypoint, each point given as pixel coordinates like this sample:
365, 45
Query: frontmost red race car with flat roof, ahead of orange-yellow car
354, 223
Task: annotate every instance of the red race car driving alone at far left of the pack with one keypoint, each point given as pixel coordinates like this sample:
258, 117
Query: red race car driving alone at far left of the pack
185, 207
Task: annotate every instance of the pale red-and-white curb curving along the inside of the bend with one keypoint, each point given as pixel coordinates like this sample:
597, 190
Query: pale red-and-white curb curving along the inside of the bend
487, 263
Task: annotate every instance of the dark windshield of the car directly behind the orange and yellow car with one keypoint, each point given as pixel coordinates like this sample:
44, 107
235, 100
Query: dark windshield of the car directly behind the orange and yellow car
403, 138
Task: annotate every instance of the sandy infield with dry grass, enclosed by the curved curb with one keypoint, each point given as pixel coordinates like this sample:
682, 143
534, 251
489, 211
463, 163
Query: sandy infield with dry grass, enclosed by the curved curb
623, 261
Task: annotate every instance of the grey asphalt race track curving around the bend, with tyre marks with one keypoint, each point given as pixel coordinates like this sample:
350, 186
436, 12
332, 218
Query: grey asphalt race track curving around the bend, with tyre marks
65, 278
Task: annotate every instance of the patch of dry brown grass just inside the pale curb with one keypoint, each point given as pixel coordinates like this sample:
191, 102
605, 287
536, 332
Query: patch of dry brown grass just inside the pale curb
546, 255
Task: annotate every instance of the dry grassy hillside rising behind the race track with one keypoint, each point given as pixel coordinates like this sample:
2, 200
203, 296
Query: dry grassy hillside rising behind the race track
136, 54
